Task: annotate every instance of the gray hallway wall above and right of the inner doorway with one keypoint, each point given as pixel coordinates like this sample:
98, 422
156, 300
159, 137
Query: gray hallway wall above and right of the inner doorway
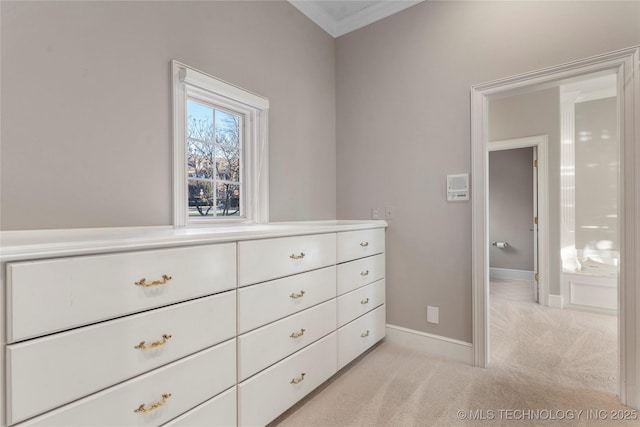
536, 113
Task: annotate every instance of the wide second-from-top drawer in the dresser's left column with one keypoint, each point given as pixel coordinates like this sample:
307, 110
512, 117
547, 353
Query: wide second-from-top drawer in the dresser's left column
67, 362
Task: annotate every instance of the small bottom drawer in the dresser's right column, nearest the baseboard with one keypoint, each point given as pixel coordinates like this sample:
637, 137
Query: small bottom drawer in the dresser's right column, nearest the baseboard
359, 335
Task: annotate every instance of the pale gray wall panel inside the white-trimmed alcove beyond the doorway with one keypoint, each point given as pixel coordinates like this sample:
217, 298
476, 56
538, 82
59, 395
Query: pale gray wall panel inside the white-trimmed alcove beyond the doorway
596, 149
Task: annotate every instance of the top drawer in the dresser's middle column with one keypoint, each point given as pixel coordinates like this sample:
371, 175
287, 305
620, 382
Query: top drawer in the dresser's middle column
261, 260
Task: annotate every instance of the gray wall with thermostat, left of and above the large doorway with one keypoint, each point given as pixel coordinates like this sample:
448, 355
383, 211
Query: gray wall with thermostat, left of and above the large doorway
403, 115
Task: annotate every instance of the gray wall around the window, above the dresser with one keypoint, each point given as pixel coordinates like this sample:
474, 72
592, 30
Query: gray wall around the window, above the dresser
86, 105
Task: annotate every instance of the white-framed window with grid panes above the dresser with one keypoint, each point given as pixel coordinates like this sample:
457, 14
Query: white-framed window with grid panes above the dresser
220, 151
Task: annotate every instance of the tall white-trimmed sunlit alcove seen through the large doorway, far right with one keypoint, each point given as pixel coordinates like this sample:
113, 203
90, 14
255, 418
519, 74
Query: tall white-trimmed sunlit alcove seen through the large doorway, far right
590, 196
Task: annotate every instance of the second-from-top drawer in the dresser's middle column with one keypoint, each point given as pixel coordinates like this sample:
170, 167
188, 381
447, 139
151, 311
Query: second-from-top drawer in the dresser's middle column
266, 302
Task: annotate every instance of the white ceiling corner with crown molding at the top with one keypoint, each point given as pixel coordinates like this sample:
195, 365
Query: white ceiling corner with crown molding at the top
339, 17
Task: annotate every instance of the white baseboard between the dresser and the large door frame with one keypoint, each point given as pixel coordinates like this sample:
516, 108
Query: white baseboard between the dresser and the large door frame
433, 344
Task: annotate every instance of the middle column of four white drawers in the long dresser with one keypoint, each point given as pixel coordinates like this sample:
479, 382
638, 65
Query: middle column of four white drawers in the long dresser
290, 314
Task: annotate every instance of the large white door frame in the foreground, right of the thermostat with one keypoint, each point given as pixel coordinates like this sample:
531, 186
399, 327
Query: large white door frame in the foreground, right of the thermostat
626, 64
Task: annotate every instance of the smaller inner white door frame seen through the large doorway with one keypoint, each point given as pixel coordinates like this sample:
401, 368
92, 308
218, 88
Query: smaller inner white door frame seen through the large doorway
542, 145
